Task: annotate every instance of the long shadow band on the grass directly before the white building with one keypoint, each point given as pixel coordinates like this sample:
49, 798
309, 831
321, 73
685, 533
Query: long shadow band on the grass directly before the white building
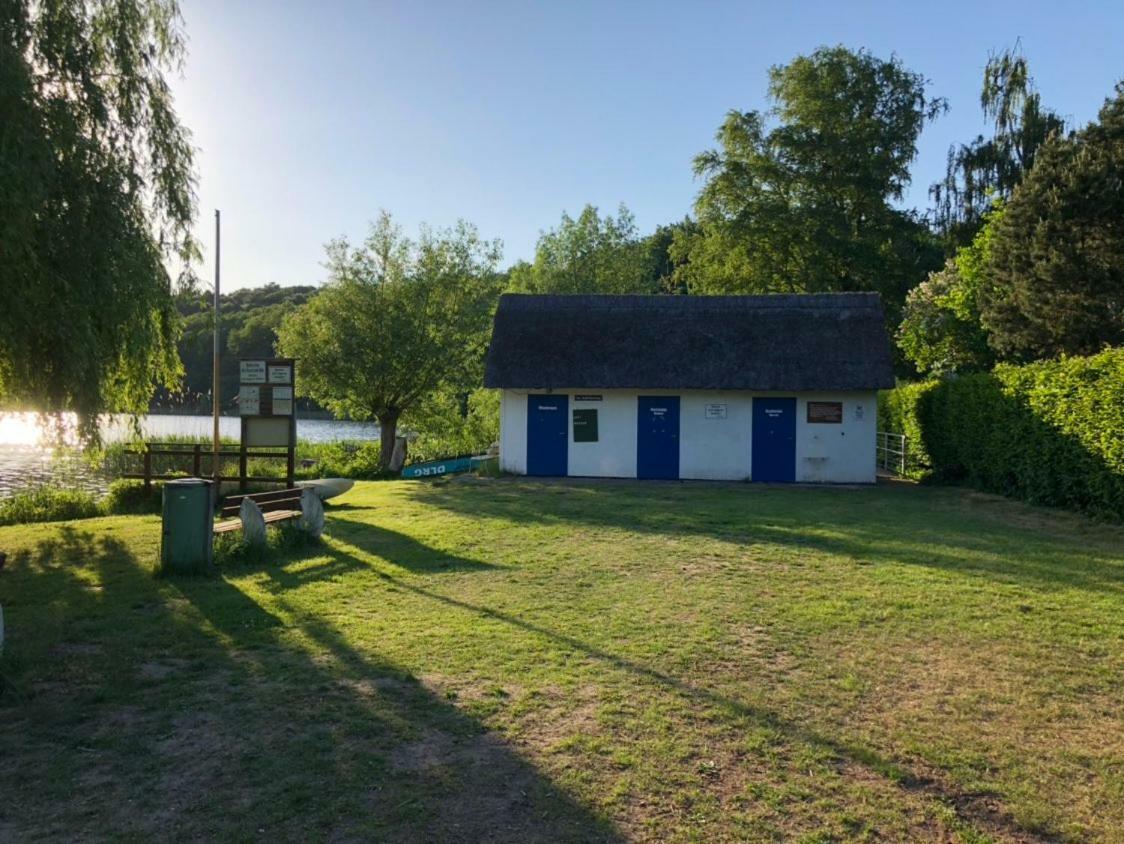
940, 529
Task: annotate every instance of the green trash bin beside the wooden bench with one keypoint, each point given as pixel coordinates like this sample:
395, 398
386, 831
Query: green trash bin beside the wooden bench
187, 541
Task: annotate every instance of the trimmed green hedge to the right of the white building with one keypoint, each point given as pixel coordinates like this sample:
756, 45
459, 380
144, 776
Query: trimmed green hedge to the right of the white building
1050, 433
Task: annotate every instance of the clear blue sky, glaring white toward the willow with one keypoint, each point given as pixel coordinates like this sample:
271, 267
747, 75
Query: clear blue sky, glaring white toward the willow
310, 117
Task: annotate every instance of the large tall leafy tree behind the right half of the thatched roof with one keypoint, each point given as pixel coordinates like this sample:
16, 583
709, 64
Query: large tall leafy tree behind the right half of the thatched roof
799, 199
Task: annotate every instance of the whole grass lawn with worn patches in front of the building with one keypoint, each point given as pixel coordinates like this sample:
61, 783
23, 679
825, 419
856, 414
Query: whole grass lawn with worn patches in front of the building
577, 661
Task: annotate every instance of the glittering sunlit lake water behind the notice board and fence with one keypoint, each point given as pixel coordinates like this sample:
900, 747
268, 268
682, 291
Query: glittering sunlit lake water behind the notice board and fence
28, 461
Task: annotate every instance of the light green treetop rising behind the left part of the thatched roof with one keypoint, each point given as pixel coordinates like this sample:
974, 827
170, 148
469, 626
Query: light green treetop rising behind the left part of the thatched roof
588, 255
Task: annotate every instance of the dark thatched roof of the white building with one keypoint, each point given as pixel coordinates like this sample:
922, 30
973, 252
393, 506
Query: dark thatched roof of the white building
791, 343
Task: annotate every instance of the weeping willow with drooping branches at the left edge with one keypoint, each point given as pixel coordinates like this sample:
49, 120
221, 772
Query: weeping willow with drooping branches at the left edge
96, 198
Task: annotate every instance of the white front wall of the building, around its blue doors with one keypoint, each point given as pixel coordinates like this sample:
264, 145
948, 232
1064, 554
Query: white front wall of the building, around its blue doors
715, 449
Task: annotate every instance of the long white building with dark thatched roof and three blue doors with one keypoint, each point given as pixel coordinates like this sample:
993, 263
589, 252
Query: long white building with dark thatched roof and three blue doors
764, 388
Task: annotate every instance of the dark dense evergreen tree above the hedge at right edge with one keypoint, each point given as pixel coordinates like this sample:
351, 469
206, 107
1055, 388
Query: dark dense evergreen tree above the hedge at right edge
1056, 280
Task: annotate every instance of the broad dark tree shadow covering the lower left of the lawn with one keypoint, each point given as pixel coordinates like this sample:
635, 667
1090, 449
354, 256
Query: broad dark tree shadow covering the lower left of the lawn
147, 705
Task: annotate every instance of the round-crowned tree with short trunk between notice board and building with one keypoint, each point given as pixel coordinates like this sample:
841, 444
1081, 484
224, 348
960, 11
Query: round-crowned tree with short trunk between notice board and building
398, 321
